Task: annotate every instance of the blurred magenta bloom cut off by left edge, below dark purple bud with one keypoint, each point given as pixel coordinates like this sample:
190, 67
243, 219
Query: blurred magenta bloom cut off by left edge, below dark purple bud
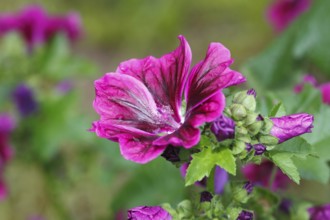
7, 125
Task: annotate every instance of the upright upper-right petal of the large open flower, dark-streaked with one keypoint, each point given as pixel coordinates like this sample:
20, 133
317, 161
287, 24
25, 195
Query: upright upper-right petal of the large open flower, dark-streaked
211, 75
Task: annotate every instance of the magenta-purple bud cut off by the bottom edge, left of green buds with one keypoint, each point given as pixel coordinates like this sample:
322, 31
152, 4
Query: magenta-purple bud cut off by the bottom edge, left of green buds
148, 213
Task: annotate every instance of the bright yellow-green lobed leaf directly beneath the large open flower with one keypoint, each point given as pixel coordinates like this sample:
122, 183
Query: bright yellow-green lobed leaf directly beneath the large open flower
204, 161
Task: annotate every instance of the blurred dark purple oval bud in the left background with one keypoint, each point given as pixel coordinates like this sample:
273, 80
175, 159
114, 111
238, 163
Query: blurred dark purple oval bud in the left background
24, 100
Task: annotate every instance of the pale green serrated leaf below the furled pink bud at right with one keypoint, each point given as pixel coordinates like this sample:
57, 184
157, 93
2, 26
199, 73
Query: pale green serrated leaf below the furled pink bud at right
285, 163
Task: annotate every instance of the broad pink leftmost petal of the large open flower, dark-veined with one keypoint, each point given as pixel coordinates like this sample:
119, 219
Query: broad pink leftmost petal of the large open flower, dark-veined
124, 100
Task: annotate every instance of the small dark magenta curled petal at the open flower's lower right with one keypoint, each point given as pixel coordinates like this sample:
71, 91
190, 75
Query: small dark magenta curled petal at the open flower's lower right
186, 136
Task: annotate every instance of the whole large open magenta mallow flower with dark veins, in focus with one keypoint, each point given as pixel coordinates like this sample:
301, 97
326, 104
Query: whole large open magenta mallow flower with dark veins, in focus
141, 104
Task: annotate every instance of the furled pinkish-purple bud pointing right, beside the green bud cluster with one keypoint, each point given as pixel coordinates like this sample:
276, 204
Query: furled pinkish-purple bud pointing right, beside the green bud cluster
287, 127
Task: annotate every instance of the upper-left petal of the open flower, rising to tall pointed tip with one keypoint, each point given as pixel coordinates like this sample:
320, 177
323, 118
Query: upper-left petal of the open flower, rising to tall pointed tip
164, 77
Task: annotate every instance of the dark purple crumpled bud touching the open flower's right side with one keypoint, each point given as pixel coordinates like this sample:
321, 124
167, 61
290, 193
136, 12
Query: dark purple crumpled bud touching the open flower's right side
223, 128
